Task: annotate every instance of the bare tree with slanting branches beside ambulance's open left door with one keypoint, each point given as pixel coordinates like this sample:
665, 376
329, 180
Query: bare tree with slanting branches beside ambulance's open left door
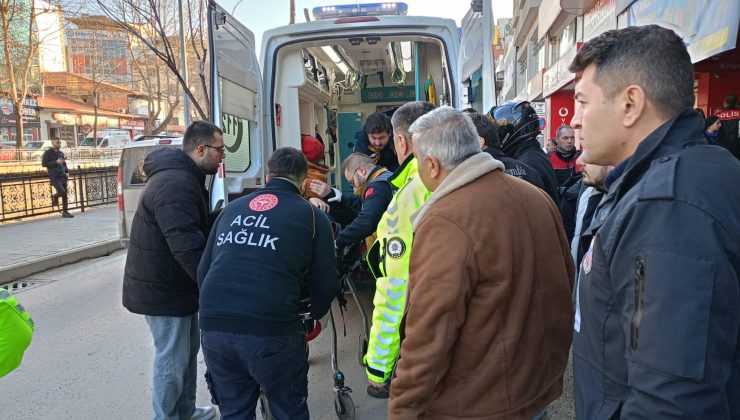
153, 24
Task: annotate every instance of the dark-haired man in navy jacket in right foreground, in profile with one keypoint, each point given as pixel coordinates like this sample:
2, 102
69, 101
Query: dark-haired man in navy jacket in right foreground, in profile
657, 330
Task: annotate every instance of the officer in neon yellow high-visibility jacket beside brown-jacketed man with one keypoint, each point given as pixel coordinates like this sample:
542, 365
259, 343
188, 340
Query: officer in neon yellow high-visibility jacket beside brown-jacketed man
389, 256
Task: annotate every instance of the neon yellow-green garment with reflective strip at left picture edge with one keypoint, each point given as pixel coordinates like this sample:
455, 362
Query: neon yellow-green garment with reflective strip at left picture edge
16, 329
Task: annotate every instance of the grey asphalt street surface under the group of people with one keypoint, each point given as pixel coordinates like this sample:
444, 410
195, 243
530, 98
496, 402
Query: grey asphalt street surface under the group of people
91, 359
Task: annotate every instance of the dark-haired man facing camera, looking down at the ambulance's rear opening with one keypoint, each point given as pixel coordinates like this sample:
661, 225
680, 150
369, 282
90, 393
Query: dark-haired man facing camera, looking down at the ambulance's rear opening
376, 140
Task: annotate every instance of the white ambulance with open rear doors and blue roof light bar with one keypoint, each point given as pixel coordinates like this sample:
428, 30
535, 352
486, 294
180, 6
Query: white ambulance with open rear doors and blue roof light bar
326, 76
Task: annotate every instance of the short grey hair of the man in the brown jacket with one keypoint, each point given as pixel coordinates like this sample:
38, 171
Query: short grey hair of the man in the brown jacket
446, 134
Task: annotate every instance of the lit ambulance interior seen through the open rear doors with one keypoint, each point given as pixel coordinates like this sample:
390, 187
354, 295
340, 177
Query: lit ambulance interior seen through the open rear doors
334, 85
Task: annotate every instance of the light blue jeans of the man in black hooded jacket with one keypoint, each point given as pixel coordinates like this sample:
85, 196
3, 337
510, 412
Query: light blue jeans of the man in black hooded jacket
176, 344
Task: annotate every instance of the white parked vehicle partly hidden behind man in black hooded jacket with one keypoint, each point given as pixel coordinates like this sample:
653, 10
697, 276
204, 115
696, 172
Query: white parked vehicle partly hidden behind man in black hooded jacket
132, 179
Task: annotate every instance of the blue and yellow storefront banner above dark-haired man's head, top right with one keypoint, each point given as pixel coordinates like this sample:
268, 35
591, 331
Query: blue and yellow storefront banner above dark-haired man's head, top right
708, 28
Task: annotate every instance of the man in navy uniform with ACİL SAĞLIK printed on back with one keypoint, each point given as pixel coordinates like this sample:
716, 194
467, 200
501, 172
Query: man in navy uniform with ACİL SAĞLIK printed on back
262, 250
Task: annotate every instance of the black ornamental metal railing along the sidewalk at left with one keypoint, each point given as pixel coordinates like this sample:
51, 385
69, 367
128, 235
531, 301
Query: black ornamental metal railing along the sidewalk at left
28, 195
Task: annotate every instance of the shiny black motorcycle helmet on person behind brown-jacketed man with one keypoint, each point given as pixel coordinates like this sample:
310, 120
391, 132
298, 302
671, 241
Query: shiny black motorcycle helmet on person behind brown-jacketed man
517, 122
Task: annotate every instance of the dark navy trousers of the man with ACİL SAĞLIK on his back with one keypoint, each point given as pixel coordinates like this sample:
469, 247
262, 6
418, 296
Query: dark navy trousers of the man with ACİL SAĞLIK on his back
239, 365
